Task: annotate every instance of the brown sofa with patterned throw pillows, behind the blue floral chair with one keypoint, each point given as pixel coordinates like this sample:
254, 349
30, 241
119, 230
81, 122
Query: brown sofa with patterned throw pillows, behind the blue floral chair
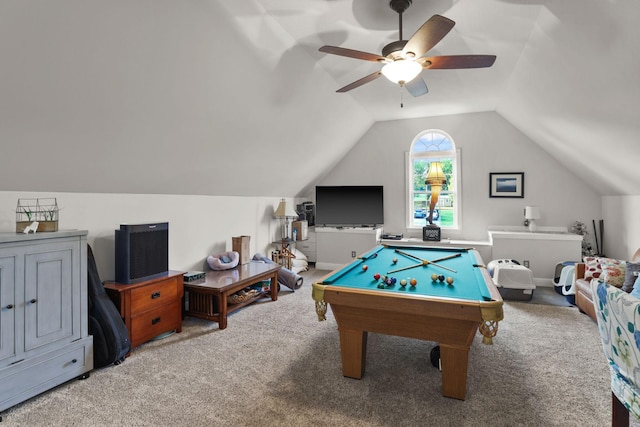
618, 273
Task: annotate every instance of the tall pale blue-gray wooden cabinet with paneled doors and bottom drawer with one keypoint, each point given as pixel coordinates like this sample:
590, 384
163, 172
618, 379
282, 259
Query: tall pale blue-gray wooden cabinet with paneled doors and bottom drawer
44, 337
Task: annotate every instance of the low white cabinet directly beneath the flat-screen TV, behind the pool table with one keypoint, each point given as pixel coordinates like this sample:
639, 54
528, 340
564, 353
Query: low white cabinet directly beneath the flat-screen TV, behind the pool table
338, 246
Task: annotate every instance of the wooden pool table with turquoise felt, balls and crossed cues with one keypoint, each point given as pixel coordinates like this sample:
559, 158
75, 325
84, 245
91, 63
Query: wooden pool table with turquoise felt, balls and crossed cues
433, 310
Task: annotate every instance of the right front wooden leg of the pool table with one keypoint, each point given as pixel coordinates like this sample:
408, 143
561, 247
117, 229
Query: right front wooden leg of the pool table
454, 362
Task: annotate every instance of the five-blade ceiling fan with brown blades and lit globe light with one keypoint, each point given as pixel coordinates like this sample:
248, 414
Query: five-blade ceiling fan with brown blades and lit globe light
404, 60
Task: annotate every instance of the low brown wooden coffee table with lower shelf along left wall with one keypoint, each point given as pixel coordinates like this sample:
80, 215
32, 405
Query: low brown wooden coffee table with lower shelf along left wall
208, 298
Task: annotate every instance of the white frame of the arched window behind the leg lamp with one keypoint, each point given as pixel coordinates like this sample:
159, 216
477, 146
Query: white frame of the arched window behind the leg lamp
455, 187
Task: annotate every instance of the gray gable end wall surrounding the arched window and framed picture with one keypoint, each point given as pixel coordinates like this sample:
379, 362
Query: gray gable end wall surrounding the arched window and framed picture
488, 143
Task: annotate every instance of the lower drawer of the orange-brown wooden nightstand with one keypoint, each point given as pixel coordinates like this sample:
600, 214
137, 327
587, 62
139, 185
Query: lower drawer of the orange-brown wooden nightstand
152, 323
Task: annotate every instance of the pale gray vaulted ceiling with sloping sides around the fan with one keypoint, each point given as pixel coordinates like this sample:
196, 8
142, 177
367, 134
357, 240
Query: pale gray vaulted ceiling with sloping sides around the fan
210, 97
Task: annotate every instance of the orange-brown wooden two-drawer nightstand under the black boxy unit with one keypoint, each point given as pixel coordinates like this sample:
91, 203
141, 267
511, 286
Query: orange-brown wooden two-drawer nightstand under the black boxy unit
149, 308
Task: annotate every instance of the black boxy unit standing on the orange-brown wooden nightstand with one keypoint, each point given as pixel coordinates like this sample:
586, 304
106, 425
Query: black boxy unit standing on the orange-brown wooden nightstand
141, 252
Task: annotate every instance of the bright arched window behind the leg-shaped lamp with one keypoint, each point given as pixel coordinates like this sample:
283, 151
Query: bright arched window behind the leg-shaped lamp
433, 146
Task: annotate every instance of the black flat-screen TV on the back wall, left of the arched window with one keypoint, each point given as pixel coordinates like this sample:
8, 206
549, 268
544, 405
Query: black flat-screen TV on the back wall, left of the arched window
351, 206
